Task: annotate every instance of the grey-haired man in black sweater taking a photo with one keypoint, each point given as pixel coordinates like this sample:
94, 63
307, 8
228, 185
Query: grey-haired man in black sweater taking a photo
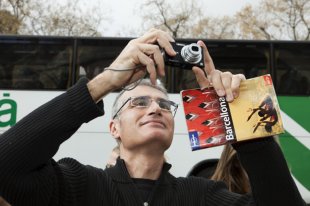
143, 124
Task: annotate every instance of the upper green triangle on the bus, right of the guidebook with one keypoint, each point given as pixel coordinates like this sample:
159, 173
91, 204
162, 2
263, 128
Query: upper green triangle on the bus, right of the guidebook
297, 108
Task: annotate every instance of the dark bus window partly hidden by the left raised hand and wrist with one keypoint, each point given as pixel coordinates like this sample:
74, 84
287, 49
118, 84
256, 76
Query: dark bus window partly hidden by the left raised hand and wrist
94, 55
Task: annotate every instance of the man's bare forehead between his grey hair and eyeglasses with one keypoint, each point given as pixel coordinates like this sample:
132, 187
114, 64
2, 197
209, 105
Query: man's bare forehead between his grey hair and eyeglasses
143, 90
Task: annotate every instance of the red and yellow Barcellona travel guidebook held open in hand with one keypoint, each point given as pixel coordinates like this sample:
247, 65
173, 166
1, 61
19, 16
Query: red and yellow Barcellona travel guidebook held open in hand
212, 121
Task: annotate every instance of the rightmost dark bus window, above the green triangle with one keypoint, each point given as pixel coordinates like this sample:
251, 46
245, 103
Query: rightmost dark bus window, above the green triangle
292, 65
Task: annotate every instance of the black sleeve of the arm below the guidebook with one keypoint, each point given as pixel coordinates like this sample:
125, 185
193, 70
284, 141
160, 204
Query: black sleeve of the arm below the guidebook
270, 179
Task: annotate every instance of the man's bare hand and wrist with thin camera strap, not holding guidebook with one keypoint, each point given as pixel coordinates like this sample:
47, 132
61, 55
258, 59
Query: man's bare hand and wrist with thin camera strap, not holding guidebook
141, 55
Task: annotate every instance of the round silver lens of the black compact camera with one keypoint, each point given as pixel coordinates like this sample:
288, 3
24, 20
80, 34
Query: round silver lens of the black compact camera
191, 53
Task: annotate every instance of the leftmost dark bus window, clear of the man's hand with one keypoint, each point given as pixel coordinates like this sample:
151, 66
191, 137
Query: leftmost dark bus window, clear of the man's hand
35, 63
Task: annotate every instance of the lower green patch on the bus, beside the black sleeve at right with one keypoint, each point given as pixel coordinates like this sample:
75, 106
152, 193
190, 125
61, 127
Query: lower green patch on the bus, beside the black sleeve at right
297, 156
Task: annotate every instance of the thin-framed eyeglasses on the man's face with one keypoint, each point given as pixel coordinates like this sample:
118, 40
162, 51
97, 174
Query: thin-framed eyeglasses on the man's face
145, 101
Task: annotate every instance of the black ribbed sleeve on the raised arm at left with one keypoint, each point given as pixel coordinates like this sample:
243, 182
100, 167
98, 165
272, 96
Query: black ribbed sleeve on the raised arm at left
28, 175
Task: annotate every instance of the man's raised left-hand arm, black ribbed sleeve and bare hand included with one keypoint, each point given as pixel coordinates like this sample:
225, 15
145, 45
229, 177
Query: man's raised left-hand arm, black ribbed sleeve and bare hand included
28, 174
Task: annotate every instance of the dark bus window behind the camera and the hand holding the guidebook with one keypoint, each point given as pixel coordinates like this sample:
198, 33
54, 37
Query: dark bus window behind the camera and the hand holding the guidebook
251, 59
